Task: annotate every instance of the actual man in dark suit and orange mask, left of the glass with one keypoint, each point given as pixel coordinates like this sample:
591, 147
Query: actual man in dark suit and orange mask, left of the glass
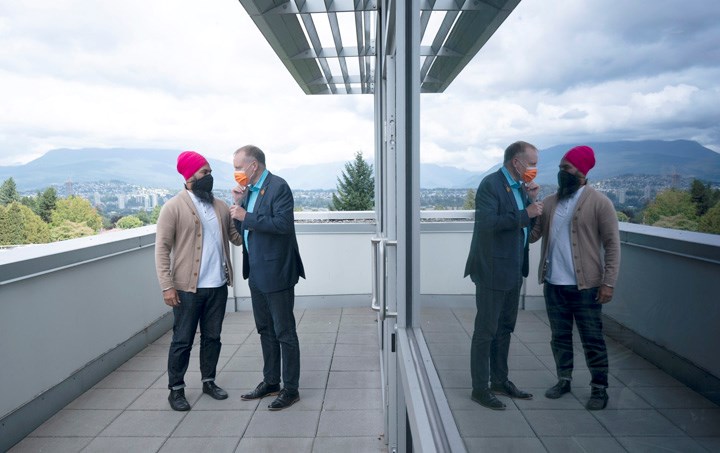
263, 214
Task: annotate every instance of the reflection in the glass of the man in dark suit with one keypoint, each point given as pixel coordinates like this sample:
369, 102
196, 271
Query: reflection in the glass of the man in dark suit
498, 260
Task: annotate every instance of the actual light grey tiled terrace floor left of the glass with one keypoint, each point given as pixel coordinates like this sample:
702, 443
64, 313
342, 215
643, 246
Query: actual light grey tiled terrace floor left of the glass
340, 407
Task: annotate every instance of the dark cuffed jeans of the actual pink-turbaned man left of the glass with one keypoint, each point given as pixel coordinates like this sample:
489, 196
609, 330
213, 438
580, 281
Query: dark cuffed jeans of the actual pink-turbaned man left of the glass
206, 307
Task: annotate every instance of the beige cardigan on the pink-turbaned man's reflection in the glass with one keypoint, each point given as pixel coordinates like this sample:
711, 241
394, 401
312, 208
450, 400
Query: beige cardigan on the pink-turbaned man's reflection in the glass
594, 230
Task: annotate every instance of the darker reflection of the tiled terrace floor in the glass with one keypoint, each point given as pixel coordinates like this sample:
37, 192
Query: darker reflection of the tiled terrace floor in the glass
648, 411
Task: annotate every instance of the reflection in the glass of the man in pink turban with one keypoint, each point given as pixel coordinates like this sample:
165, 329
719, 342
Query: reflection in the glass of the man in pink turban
579, 264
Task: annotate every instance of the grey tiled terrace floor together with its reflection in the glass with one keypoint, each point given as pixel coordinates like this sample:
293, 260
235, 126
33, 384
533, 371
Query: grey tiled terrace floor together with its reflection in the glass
341, 404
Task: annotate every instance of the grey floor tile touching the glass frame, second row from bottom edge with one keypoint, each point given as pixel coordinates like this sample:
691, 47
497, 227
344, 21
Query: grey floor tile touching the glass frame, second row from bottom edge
350, 423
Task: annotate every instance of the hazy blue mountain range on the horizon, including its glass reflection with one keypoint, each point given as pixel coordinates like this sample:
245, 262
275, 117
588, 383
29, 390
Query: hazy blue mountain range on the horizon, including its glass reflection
156, 167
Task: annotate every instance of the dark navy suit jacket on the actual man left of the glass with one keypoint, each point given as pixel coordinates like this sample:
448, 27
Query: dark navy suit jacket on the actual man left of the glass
273, 262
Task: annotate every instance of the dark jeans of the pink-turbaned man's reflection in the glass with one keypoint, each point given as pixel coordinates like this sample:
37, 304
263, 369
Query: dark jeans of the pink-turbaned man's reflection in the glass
565, 303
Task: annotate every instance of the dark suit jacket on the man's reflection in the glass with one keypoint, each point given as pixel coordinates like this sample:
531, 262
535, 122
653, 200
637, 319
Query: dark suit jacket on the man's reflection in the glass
498, 257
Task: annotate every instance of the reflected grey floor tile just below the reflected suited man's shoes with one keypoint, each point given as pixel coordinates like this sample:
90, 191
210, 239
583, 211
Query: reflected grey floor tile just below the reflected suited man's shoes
489, 423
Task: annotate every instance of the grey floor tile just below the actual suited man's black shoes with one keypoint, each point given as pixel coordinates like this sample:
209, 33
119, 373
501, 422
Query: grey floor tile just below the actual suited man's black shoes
283, 424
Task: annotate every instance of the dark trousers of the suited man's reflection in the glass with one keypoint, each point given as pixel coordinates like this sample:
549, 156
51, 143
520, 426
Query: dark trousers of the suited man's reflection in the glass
494, 322
